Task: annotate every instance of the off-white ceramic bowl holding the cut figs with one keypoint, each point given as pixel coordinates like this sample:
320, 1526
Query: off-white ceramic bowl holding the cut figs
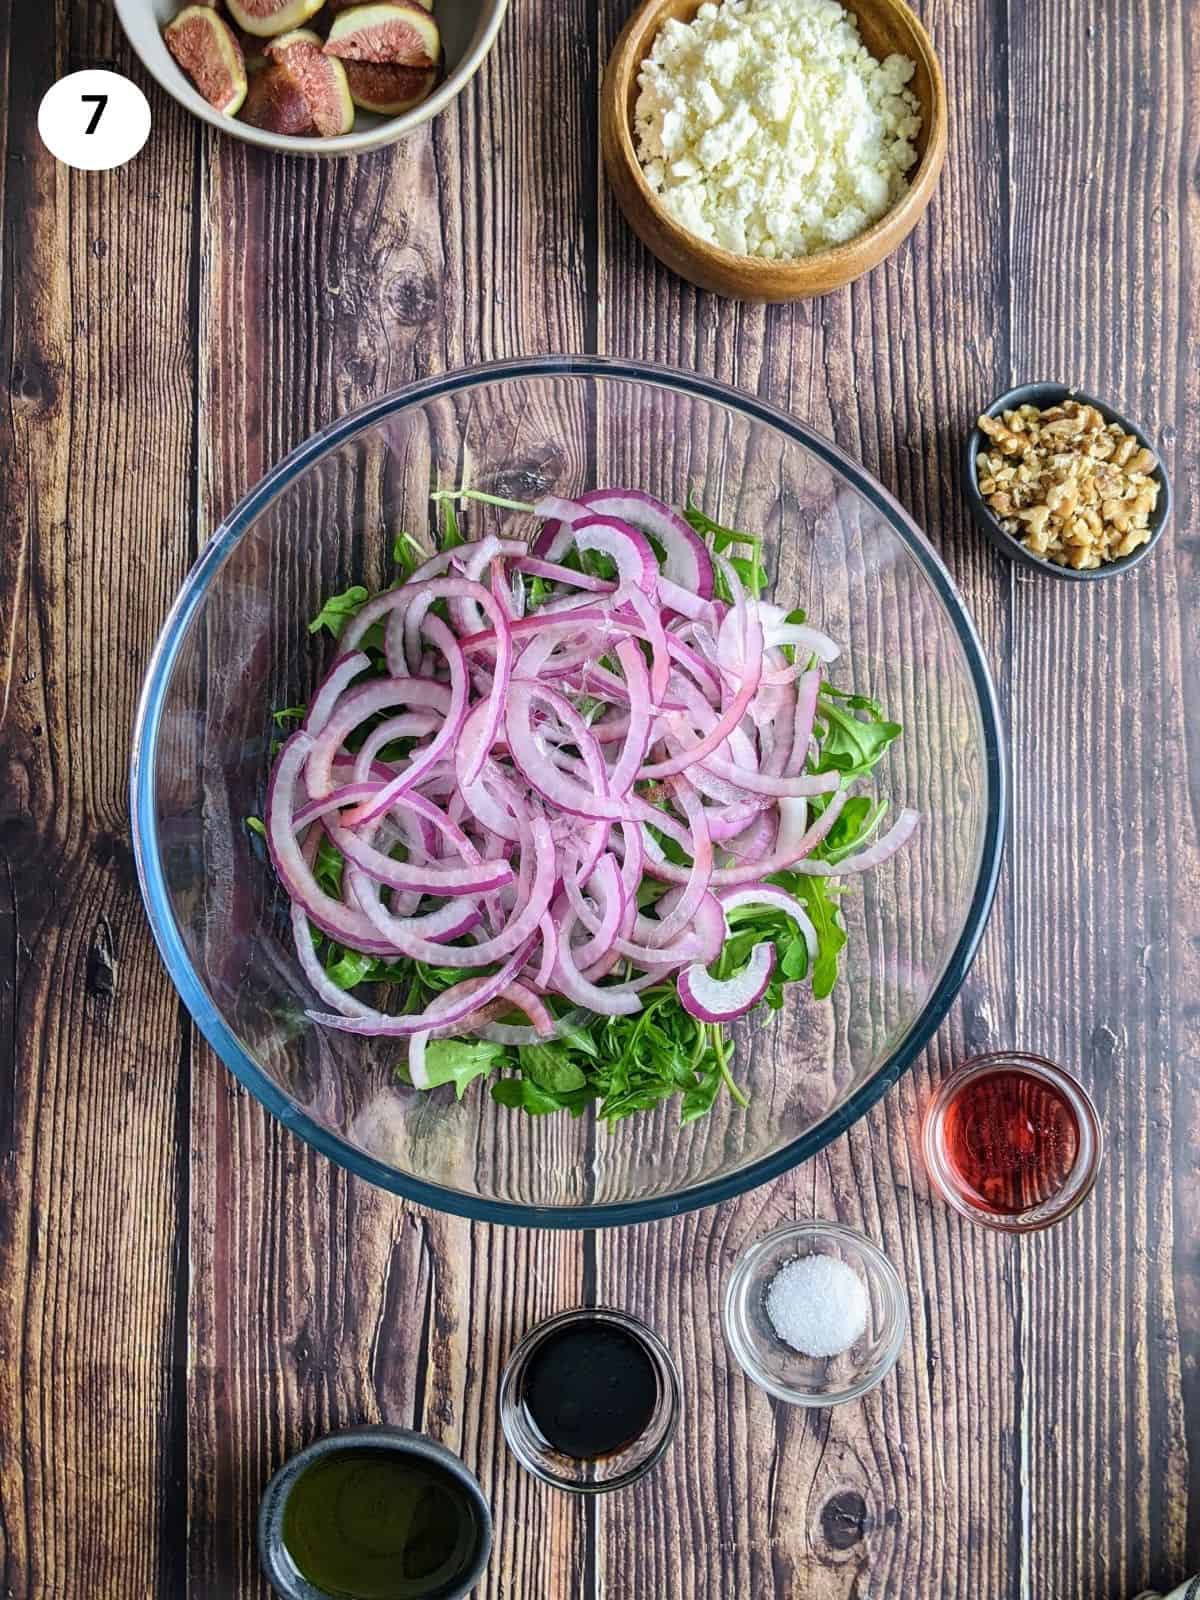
468, 34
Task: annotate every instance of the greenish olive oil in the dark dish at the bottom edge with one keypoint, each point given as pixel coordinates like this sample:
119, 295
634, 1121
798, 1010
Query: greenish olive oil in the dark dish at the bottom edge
377, 1526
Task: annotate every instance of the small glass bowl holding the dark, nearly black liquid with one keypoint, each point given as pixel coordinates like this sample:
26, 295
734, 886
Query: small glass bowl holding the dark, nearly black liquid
606, 1473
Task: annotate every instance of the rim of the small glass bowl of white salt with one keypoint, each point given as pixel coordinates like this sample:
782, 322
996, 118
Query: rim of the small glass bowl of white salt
734, 1306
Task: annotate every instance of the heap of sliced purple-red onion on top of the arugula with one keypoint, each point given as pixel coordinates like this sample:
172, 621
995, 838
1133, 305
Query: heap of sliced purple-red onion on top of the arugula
527, 820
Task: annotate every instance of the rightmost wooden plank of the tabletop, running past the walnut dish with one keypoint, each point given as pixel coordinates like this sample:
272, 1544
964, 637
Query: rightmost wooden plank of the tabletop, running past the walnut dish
1110, 911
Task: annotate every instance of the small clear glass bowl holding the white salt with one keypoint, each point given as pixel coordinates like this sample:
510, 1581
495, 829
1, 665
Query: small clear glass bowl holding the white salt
788, 1374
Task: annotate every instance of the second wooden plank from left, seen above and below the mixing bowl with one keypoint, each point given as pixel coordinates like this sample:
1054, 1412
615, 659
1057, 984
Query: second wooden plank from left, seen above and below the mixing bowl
319, 1302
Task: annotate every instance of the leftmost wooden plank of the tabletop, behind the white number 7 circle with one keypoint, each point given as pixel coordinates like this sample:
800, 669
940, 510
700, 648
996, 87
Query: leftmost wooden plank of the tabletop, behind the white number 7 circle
95, 438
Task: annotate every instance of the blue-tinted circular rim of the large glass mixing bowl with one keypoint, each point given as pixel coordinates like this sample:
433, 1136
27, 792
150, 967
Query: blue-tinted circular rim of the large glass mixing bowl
210, 1020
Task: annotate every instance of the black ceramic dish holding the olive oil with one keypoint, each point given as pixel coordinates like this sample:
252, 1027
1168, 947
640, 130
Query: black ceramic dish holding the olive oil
278, 1564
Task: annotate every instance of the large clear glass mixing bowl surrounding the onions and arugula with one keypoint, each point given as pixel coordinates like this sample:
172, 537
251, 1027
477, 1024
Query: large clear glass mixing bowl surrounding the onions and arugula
238, 646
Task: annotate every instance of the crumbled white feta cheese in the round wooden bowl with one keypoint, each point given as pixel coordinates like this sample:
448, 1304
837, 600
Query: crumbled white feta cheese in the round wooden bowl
769, 129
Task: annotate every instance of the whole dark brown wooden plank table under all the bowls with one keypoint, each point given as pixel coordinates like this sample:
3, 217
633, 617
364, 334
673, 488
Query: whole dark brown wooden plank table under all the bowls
188, 1294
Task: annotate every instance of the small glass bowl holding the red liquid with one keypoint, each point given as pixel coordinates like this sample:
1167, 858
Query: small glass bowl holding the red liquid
1079, 1182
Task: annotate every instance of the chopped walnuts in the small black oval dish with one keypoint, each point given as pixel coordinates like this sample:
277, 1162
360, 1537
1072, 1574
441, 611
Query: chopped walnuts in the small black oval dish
1070, 486
